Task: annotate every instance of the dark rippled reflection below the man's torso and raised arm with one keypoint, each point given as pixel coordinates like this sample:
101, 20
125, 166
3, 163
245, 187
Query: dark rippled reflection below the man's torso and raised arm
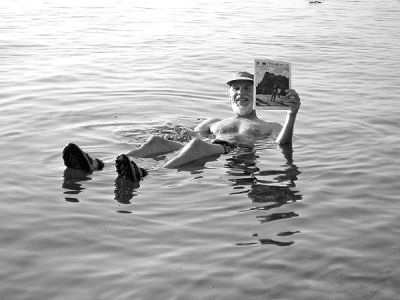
267, 194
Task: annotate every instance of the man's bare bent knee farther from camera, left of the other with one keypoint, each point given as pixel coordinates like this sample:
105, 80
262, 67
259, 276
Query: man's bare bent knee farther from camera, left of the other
155, 145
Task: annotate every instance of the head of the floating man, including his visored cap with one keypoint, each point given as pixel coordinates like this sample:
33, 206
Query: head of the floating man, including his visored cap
241, 93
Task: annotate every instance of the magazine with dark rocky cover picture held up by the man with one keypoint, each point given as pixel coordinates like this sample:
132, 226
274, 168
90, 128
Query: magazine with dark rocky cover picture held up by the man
271, 79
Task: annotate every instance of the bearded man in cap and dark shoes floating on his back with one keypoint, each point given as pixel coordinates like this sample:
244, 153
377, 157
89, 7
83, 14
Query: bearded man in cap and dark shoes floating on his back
243, 129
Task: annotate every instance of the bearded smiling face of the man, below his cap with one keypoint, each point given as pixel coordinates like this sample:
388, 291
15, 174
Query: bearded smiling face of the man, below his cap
241, 97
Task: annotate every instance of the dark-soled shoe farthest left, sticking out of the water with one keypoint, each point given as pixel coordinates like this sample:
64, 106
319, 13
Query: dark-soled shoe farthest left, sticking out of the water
75, 158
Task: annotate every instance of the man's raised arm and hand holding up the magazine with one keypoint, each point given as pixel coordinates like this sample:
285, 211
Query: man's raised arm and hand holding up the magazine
292, 100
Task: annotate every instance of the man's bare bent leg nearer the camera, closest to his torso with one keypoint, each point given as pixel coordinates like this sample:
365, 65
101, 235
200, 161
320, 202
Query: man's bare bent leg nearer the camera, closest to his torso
194, 150
